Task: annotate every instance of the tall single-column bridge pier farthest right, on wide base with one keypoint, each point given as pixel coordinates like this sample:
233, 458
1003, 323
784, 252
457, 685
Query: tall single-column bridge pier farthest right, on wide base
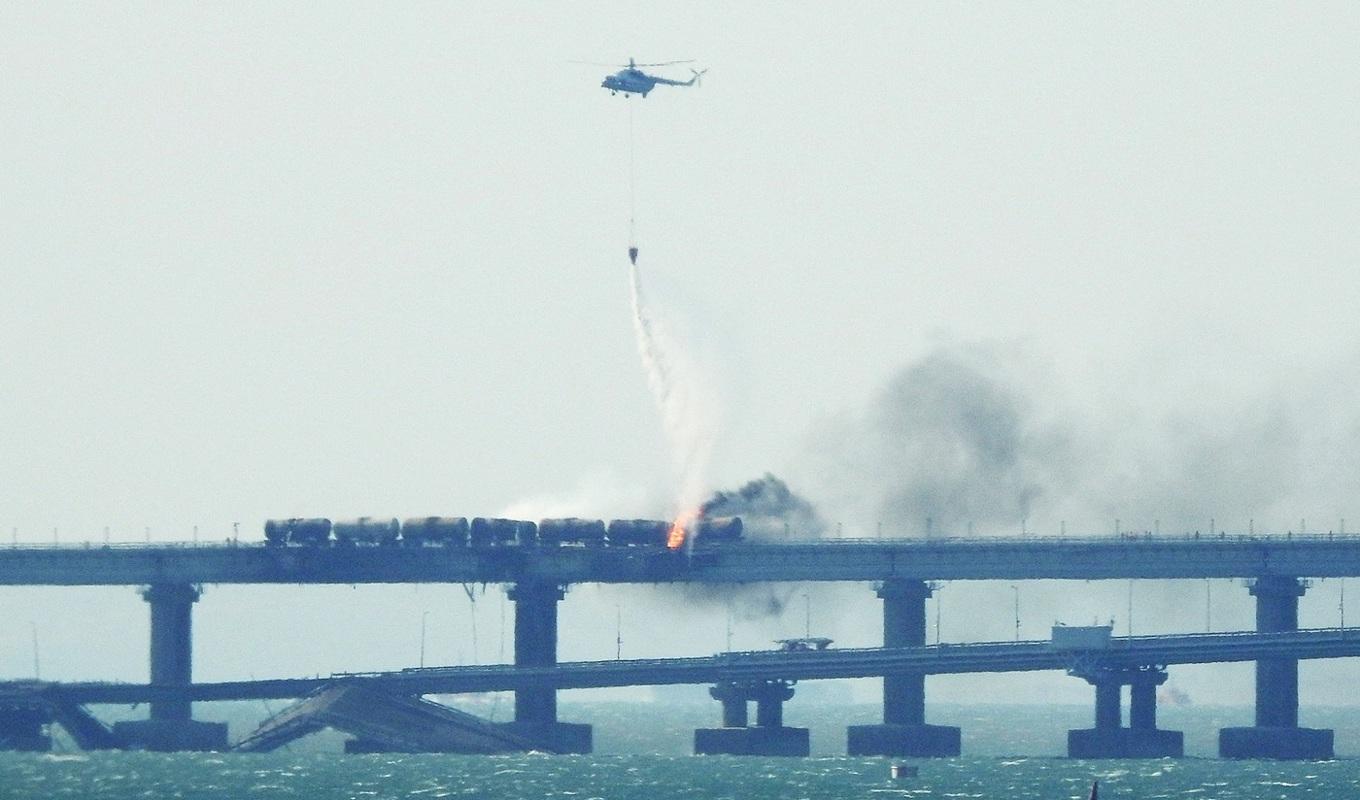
1278, 733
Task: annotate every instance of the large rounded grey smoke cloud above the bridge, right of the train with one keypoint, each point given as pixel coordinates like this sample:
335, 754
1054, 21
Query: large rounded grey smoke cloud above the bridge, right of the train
953, 446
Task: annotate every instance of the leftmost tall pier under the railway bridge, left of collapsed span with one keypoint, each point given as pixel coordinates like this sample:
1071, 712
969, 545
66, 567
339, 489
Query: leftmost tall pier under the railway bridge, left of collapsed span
172, 726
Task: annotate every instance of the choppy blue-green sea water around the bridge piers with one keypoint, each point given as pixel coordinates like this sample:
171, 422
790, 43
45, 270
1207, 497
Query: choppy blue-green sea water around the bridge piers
1014, 754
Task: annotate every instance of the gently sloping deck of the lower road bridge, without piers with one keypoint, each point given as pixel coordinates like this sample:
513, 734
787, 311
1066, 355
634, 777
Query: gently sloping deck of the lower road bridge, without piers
757, 666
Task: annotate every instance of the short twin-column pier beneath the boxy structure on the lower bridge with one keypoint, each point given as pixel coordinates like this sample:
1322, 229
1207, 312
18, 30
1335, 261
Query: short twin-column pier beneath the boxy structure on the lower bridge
1143, 738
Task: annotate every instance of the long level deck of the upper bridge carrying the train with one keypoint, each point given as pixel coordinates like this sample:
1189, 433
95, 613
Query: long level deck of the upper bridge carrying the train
843, 560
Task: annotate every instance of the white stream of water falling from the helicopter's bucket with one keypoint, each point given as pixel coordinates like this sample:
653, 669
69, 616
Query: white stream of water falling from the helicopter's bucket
685, 398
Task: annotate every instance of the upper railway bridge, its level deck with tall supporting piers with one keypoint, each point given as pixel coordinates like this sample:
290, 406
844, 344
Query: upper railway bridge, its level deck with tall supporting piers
901, 572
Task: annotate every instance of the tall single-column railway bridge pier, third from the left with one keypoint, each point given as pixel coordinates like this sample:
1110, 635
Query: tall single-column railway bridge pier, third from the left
904, 730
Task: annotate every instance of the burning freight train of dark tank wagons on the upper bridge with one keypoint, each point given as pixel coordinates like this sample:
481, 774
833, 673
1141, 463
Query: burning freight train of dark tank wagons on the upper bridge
482, 533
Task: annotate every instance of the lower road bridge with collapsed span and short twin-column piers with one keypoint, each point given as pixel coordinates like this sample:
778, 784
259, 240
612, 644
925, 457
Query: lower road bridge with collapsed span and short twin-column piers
766, 678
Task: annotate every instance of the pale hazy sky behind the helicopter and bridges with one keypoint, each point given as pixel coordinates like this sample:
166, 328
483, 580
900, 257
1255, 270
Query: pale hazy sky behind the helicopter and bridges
335, 261
